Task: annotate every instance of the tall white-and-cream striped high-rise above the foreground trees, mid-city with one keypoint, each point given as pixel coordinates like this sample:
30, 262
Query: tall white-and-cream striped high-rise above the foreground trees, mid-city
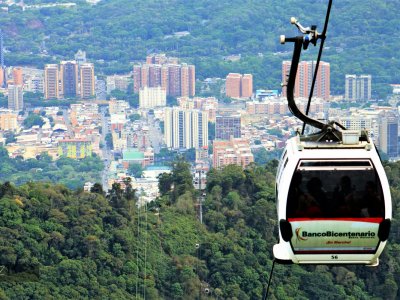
185, 129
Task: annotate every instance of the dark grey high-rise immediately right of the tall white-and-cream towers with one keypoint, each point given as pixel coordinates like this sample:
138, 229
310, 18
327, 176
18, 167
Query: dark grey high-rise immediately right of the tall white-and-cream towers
227, 127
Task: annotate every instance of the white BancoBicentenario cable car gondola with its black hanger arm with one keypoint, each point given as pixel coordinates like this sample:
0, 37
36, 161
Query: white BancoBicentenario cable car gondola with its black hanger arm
333, 197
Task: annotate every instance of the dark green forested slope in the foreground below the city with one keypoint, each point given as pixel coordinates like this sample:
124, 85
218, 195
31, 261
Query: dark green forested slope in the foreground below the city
60, 244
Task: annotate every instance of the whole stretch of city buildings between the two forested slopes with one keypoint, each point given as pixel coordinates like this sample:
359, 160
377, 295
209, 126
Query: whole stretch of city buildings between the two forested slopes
124, 136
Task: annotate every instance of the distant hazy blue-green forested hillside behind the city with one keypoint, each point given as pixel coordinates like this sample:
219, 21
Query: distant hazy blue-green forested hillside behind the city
362, 35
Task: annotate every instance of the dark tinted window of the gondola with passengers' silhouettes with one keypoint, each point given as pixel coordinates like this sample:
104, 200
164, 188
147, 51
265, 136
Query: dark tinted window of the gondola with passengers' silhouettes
334, 193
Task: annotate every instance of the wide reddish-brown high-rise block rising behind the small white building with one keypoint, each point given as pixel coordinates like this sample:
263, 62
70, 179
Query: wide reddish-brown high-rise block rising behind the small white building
176, 79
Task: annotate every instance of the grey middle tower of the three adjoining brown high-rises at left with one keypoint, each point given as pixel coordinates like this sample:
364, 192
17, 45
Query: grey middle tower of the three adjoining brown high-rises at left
69, 79
